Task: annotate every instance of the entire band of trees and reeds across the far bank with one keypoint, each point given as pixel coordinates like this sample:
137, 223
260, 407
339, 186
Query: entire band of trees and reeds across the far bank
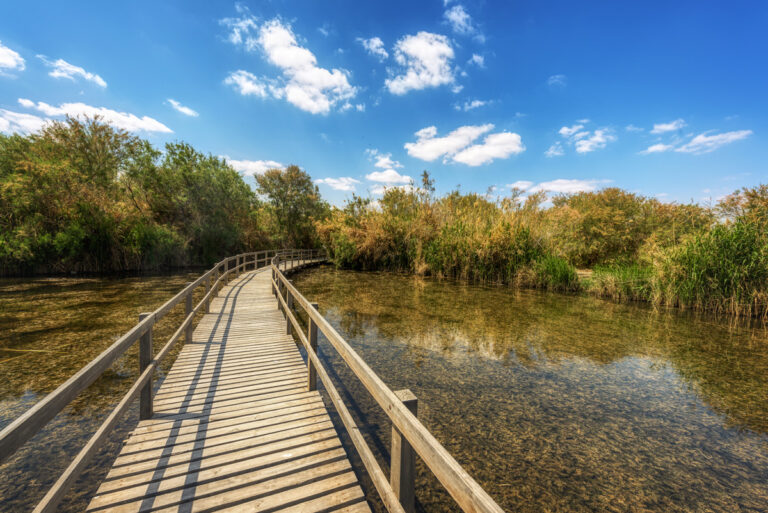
83, 196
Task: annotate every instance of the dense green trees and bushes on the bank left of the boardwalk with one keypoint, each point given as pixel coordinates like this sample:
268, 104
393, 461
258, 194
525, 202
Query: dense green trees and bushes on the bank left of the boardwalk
83, 196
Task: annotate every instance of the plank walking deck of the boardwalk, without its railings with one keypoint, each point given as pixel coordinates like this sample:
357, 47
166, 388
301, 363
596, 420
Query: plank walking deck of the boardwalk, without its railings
234, 427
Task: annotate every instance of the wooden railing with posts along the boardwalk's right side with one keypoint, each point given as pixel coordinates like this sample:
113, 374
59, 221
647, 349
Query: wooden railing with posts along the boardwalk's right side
408, 433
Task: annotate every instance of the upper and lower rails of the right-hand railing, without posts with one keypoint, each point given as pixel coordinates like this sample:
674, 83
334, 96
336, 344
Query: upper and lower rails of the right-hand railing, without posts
469, 495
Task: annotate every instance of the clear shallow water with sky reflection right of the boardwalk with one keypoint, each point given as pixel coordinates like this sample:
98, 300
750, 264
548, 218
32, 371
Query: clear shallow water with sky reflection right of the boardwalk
560, 403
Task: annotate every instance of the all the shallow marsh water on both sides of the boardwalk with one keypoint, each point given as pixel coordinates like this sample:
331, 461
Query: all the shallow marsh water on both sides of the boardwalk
552, 402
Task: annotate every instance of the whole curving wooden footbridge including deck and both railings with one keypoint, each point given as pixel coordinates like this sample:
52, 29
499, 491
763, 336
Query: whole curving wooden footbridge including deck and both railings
237, 424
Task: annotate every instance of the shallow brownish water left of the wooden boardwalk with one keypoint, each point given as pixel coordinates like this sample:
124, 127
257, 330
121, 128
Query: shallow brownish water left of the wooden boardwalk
49, 329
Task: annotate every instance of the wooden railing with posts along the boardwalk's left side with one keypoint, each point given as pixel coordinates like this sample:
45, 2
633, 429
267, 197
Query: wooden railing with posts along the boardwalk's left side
32, 421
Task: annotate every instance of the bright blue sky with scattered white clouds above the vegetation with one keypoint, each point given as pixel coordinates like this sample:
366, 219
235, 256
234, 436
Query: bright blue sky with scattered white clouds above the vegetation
666, 99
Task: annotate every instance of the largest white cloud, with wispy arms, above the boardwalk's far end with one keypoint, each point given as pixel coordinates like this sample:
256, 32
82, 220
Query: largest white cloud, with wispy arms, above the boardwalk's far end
303, 83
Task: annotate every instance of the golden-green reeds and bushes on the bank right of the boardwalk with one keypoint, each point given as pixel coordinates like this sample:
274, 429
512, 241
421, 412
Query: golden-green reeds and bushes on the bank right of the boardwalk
638, 248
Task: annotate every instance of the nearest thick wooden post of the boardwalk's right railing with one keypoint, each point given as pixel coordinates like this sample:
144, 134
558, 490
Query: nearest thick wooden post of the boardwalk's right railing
403, 458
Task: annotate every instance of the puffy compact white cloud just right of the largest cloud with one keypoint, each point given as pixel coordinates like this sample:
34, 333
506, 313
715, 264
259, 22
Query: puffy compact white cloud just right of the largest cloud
425, 60
